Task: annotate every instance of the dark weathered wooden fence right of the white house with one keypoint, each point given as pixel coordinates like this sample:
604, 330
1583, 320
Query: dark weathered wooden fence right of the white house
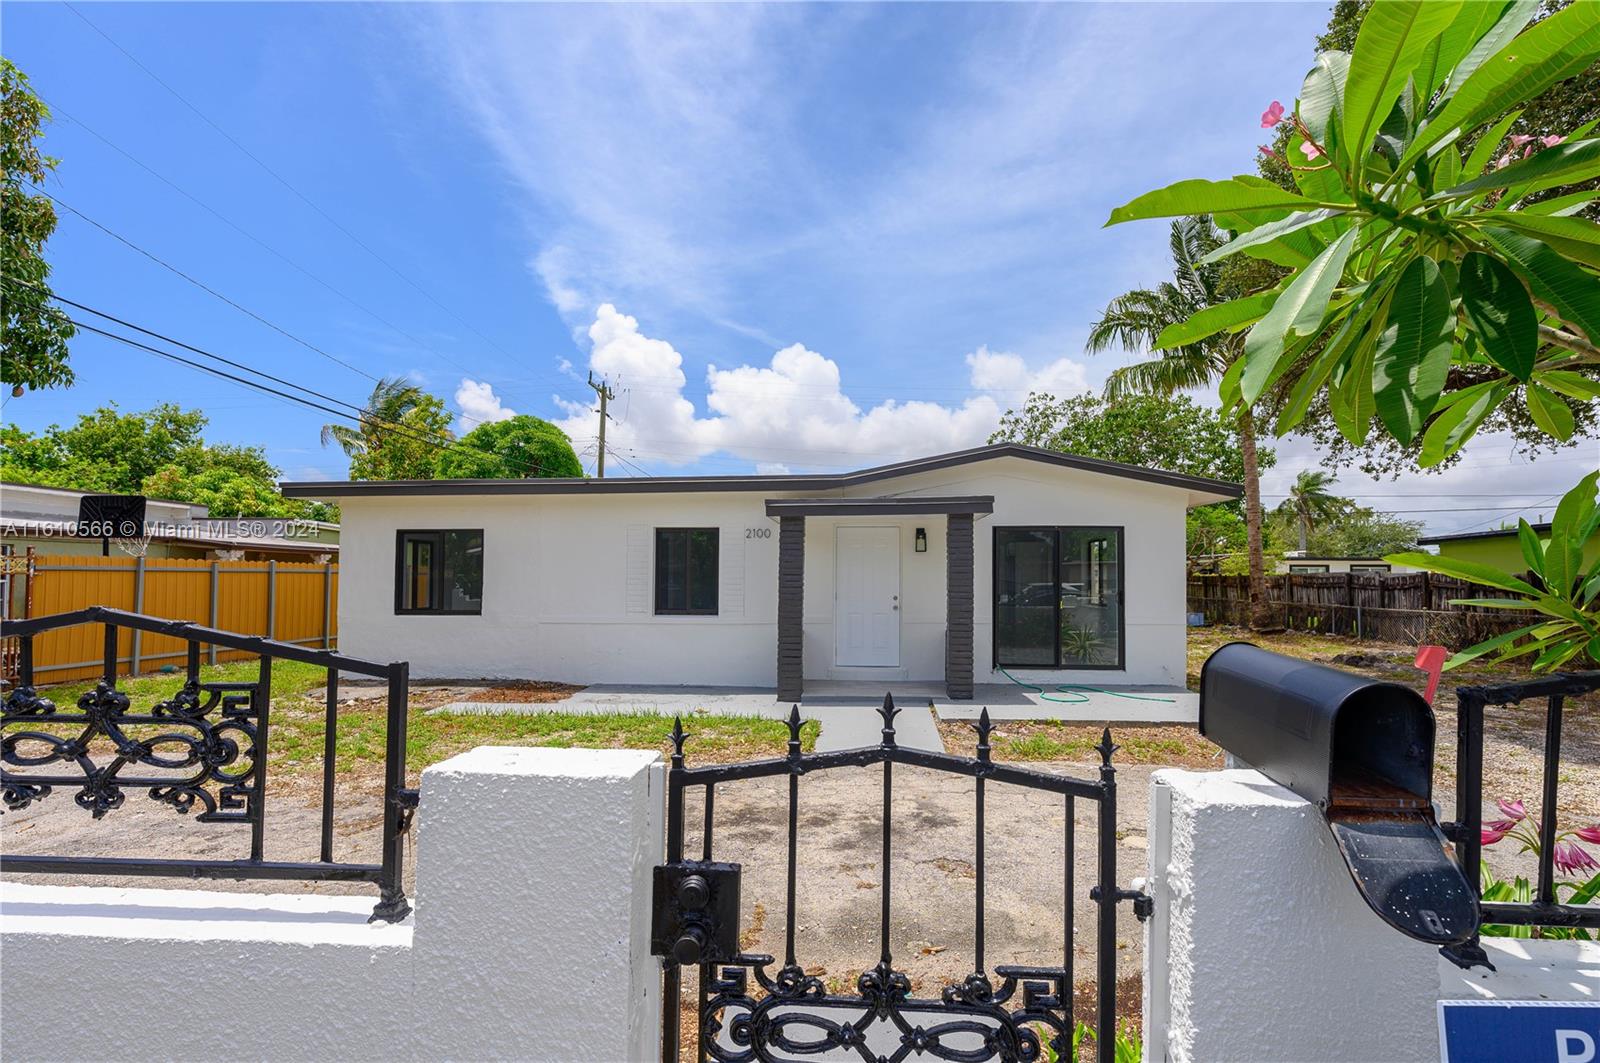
1407, 608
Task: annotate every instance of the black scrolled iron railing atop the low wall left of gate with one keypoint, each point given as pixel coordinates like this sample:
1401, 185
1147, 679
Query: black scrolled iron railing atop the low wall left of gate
204, 752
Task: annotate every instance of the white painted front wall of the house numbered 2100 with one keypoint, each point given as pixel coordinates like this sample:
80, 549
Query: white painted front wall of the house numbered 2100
570, 593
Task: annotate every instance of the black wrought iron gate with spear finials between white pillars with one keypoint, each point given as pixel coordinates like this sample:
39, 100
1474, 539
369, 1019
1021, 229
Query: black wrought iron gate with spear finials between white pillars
788, 1016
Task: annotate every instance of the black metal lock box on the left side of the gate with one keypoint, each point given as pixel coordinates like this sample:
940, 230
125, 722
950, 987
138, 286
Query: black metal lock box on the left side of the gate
697, 913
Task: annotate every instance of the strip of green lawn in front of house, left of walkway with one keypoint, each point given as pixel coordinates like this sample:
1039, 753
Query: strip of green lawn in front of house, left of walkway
298, 726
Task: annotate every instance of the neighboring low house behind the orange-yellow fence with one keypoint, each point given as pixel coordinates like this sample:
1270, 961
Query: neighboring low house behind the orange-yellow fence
46, 519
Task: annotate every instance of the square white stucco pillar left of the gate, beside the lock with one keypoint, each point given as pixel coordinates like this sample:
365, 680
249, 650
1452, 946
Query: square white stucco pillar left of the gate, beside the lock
534, 905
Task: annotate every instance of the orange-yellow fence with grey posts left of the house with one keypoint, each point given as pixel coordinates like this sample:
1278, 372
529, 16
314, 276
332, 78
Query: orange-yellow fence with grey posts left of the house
287, 601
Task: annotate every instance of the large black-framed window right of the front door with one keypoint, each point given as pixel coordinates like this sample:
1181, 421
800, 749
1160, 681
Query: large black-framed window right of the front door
1058, 598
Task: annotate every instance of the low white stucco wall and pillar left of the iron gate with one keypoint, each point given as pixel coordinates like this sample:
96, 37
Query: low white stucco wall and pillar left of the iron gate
530, 941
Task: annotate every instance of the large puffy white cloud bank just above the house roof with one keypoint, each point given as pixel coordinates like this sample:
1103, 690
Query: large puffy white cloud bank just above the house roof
791, 412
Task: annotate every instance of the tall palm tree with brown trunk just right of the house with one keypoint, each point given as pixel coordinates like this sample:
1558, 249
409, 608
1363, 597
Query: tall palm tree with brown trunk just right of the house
1135, 319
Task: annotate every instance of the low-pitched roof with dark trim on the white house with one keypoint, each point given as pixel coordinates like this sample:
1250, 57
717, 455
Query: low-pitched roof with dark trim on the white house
1218, 491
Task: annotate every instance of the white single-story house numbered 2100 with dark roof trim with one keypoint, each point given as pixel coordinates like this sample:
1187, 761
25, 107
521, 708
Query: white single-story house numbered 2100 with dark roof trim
938, 569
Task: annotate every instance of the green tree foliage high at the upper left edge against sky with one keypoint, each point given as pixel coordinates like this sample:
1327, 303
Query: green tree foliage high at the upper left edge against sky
34, 332
